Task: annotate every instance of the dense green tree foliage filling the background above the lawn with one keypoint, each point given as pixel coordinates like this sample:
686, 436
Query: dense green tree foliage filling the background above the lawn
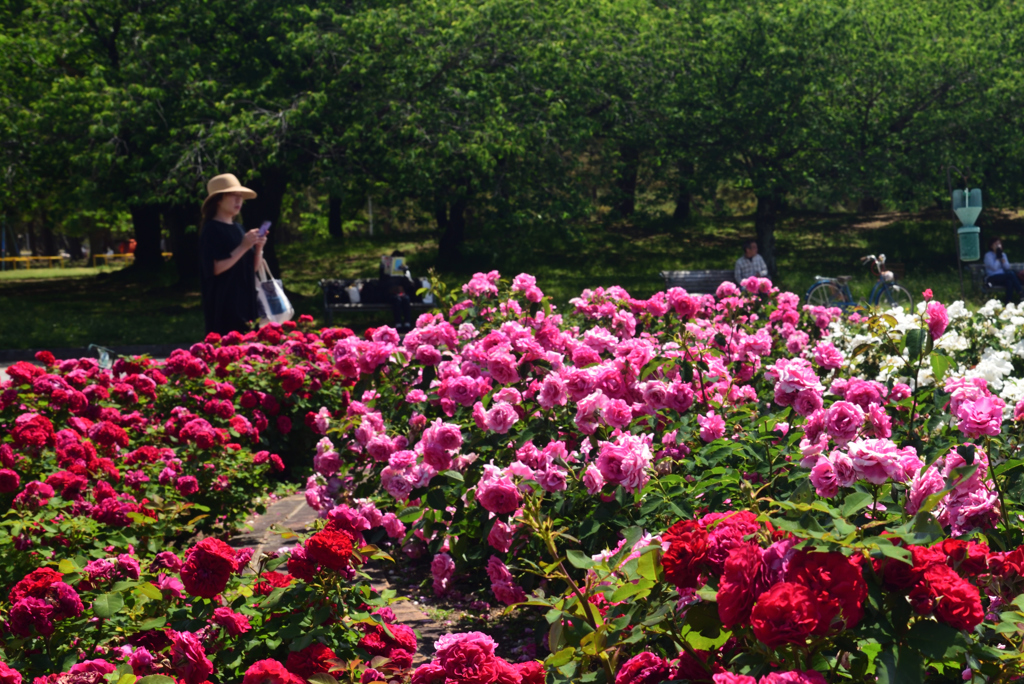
504, 120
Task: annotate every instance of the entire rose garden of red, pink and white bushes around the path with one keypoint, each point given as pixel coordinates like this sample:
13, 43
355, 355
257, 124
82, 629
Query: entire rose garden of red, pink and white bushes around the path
710, 489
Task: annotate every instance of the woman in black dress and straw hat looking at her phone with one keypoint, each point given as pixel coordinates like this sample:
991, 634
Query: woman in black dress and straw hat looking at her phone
230, 258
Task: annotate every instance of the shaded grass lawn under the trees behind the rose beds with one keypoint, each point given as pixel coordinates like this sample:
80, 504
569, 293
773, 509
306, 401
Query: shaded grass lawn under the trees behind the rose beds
77, 307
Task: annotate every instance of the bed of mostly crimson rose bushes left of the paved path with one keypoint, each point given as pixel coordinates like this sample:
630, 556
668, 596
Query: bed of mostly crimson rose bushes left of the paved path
116, 487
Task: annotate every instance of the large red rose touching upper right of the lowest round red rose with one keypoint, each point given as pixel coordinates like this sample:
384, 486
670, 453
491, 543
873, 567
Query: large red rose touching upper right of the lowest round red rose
837, 577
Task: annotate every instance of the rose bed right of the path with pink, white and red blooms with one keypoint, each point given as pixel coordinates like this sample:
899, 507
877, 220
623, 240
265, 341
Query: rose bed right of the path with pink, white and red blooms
727, 488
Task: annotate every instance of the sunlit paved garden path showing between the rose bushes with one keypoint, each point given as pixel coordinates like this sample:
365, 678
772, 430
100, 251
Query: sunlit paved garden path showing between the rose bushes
292, 514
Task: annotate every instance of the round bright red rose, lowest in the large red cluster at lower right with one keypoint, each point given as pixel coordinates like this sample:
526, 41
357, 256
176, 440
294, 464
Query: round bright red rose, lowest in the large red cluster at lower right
787, 614
